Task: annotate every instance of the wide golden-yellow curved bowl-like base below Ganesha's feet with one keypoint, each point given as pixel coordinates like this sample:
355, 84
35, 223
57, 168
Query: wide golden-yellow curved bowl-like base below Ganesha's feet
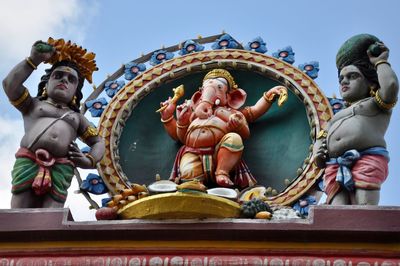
180, 205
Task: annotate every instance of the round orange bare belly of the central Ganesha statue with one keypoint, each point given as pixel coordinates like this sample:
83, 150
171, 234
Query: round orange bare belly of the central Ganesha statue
204, 133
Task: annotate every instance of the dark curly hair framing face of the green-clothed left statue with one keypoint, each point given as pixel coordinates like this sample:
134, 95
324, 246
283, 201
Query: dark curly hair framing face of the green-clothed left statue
45, 78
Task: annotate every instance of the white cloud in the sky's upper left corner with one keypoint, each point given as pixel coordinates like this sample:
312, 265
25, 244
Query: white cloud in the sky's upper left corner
24, 22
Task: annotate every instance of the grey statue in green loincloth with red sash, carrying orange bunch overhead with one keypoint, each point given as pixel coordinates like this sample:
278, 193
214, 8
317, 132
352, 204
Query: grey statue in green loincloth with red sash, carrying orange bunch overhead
48, 156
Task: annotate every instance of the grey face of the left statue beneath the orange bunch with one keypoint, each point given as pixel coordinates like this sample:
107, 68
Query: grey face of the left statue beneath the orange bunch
62, 84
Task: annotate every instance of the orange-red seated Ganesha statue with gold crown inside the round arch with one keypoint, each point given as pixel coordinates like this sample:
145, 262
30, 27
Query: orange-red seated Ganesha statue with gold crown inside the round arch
212, 126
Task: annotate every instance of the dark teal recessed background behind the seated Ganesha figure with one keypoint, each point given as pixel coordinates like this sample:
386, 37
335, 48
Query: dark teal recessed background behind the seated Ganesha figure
277, 147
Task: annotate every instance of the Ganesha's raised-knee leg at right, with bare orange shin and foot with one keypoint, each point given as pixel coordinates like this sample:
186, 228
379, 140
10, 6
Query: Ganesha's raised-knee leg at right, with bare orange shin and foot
229, 152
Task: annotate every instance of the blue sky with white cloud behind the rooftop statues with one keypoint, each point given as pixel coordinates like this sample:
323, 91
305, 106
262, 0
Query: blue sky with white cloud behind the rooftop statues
119, 31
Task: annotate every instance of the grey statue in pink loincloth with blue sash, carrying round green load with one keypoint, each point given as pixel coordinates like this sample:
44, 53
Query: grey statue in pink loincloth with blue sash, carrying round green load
352, 147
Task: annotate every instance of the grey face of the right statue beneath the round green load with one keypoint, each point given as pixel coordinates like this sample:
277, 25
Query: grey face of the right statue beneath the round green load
353, 84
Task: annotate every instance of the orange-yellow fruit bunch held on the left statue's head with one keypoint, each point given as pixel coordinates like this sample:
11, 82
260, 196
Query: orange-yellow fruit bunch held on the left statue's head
67, 51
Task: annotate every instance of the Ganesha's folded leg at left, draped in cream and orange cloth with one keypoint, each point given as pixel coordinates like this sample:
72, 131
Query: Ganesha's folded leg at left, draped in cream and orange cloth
191, 167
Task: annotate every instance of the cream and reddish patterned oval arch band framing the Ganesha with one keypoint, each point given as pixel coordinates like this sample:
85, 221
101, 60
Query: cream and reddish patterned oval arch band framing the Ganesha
120, 108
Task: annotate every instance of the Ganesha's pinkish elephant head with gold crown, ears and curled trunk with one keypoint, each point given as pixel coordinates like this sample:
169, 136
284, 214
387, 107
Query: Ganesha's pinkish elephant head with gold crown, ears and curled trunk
219, 89
